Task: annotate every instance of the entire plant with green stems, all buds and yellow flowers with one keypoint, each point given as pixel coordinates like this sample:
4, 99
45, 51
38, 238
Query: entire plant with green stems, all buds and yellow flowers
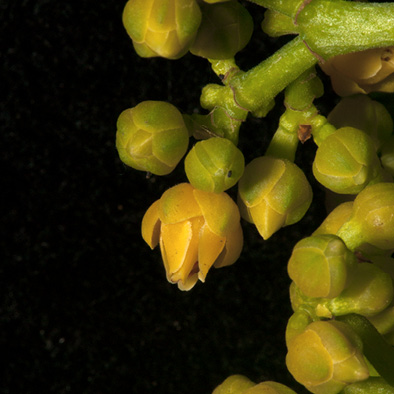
342, 275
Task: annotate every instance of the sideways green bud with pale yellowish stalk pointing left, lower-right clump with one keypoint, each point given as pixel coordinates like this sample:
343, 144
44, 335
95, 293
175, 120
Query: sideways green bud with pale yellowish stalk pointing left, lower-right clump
370, 292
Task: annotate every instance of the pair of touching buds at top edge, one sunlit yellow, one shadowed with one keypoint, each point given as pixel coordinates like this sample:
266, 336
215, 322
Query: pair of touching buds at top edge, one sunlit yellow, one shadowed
214, 29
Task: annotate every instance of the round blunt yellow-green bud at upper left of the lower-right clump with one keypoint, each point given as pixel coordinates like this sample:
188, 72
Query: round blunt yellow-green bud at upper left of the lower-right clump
320, 265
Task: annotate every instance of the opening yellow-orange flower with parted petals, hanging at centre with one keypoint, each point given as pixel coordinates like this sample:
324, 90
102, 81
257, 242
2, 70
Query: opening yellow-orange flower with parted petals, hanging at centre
196, 230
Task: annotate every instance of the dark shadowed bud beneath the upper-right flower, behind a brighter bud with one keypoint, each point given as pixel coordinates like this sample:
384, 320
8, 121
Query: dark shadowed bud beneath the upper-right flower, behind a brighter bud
363, 113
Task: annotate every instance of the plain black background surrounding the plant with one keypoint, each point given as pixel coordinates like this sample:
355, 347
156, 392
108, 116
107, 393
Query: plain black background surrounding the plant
85, 306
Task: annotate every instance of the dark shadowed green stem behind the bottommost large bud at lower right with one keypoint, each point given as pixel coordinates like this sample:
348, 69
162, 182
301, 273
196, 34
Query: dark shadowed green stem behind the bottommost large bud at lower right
379, 353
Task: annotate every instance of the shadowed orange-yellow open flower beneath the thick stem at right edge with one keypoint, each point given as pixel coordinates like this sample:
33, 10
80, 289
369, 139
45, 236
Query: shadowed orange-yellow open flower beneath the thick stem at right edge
362, 72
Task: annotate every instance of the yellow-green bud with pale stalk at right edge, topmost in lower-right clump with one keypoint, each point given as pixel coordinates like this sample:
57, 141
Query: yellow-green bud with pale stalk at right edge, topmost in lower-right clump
372, 219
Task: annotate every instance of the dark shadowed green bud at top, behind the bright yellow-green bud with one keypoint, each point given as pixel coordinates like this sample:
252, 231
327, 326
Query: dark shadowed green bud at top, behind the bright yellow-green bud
225, 29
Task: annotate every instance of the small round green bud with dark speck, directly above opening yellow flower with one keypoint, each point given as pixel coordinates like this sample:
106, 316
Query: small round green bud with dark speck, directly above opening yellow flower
214, 165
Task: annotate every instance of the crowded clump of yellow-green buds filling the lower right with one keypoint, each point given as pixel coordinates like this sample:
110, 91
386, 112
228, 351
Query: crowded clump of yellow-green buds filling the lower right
343, 268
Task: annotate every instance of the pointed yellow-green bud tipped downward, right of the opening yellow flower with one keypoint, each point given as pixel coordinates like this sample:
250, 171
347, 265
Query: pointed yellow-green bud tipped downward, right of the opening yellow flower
273, 193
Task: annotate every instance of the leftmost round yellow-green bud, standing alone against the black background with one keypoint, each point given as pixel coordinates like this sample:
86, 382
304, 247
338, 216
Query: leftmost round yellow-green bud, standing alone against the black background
152, 137
